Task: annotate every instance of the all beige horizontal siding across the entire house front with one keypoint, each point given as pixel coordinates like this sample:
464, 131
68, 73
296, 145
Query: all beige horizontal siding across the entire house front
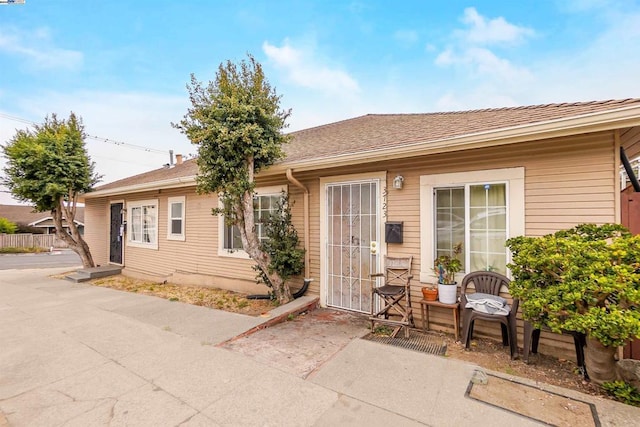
568, 181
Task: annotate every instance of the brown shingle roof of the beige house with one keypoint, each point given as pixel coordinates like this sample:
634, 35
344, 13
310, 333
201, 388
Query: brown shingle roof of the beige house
386, 131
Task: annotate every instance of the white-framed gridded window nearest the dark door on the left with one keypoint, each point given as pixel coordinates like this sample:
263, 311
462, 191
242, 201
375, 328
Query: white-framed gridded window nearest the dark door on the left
142, 223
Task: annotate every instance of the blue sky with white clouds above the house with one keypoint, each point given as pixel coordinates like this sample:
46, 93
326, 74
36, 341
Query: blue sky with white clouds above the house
123, 65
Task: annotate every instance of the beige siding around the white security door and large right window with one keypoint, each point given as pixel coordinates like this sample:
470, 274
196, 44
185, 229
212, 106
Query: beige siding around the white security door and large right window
567, 181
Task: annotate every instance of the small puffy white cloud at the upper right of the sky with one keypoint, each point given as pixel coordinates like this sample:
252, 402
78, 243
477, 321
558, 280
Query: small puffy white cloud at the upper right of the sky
491, 31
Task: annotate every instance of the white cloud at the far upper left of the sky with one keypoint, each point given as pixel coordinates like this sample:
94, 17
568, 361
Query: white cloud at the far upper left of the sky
38, 49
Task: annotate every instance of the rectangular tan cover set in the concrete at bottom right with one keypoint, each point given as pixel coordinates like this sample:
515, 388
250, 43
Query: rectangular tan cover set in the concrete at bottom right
540, 405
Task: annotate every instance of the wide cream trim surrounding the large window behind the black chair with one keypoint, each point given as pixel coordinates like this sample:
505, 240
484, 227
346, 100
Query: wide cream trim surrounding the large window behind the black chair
513, 177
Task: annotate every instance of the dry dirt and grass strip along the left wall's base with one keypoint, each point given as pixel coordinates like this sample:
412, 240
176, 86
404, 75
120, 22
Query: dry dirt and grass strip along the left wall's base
207, 297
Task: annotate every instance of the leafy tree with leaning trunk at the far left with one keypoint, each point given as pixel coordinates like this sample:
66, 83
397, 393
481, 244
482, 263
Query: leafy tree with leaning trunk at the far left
49, 167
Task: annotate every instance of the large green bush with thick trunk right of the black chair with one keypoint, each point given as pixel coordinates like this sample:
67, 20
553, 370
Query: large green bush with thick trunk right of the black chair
585, 279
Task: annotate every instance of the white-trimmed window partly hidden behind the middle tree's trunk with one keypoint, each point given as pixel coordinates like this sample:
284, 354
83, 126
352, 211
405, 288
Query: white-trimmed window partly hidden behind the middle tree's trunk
264, 205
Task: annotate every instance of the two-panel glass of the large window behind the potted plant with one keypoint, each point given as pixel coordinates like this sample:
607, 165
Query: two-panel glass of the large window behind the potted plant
474, 215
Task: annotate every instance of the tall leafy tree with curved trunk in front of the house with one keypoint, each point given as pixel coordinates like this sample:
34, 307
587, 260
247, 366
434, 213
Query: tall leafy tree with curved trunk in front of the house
236, 123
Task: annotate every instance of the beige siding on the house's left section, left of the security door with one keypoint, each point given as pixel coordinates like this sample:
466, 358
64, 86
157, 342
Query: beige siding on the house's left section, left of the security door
193, 261
